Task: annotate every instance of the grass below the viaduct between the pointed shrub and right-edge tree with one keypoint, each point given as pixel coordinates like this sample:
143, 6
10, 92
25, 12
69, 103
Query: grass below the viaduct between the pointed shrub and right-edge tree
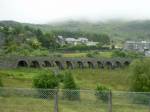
115, 79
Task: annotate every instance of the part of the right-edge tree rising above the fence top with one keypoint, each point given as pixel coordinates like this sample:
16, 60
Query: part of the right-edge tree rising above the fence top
140, 79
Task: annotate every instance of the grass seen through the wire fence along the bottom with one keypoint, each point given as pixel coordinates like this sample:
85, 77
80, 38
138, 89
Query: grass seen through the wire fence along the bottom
87, 103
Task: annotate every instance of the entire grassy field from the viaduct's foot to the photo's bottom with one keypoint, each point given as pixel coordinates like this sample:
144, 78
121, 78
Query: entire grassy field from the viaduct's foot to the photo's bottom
117, 80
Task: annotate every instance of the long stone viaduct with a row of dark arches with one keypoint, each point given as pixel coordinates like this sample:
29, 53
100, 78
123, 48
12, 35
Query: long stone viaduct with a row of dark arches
63, 63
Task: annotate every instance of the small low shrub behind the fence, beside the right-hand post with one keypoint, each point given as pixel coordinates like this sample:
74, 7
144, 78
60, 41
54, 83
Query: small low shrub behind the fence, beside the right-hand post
102, 93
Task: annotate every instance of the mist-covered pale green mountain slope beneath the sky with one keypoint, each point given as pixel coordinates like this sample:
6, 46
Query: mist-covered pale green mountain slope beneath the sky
121, 30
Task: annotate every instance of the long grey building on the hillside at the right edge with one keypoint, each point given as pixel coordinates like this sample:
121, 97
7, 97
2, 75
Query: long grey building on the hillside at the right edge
140, 46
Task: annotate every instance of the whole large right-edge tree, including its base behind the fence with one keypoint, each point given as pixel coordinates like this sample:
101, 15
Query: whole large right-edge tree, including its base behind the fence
140, 80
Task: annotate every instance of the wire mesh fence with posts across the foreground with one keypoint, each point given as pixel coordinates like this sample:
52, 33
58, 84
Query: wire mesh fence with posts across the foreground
48, 100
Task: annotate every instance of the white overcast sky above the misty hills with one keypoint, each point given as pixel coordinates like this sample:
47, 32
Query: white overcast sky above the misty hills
44, 11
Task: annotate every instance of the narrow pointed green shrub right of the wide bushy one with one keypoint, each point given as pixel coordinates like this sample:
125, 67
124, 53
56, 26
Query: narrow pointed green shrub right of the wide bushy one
71, 91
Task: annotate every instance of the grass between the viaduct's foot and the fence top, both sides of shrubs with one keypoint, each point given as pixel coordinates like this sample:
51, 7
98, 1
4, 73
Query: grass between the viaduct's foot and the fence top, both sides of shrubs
117, 79
